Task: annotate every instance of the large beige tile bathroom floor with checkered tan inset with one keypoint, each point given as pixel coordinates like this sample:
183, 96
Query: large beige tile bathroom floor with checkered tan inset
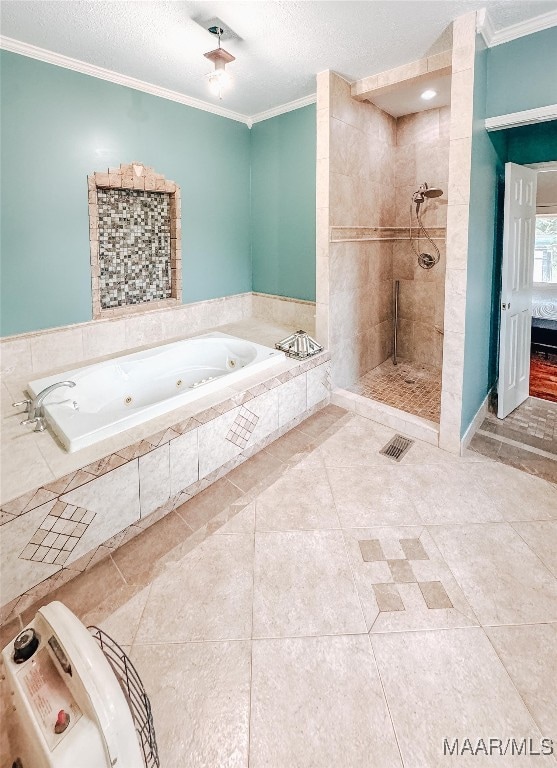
324, 605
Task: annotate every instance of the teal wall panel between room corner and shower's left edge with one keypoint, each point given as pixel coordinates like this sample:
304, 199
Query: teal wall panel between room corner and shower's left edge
283, 204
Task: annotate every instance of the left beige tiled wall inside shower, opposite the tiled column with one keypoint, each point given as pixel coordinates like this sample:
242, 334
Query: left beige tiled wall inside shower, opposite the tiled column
359, 296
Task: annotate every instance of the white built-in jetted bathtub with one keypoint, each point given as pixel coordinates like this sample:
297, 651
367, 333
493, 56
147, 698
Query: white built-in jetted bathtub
113, 396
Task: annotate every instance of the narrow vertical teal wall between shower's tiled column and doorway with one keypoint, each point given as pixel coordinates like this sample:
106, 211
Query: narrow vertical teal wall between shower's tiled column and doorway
480, 348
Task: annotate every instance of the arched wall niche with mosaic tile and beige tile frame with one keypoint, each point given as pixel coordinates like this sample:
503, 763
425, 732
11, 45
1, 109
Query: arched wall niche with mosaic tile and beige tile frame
135, 235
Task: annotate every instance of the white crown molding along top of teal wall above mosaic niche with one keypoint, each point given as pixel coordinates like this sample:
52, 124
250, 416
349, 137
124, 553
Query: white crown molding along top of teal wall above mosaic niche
50, 57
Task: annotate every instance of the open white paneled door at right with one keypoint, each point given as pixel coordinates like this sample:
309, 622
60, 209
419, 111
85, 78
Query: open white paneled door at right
516, 295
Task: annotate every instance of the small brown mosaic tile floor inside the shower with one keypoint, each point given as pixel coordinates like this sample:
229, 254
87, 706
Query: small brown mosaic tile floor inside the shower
411, 387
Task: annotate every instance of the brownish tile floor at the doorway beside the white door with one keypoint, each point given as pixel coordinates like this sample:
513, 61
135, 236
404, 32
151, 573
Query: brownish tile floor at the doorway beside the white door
526, 438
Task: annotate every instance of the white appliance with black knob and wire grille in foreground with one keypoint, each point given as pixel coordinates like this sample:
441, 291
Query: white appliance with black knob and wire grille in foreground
76, 699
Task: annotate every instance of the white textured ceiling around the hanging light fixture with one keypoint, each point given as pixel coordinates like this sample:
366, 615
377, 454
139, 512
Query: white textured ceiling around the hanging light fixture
279, 46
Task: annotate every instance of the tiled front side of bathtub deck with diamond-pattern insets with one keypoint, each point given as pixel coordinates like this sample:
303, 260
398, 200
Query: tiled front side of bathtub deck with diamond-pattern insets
66, 523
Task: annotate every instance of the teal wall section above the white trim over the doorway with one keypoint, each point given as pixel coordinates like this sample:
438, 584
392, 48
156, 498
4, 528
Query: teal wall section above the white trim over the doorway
521, 74
